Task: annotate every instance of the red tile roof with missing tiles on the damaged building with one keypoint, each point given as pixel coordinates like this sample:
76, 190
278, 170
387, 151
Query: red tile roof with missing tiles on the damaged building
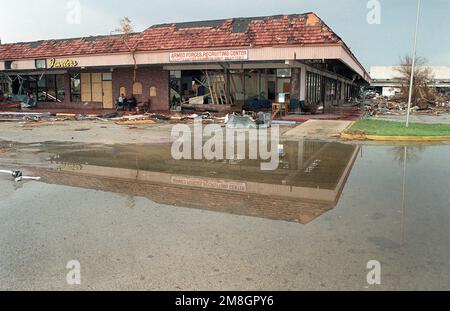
296, 29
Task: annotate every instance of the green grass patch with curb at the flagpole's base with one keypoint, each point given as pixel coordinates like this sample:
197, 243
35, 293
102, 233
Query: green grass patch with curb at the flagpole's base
392, 128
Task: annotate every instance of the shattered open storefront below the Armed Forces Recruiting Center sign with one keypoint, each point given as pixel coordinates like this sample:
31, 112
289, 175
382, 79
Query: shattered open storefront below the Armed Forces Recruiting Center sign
235, 84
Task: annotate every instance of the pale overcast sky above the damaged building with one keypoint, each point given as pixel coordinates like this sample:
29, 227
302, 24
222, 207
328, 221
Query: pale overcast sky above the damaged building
373, 44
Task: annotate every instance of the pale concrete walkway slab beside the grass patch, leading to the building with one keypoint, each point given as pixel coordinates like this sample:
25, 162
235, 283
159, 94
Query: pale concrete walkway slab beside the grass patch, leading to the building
318, 129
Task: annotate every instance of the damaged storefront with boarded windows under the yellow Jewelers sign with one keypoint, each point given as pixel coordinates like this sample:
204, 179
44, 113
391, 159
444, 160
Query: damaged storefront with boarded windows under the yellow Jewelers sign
93, 87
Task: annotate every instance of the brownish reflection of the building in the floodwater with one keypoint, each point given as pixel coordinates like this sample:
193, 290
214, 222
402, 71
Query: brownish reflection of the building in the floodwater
307, 184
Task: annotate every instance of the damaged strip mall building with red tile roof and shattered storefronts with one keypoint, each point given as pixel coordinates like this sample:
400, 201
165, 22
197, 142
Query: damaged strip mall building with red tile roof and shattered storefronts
220, 64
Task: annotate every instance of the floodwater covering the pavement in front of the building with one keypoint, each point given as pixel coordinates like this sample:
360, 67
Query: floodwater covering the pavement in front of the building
137, 219
